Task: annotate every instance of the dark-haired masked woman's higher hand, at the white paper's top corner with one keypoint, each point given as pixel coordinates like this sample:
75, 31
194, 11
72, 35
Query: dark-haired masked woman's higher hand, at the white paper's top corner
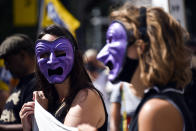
40, 97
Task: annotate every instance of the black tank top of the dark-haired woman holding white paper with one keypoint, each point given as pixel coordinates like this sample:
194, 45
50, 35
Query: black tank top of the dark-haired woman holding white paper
61, 112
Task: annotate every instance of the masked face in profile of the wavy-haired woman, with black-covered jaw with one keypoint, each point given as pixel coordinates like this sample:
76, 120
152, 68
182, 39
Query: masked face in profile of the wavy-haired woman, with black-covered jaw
115, 54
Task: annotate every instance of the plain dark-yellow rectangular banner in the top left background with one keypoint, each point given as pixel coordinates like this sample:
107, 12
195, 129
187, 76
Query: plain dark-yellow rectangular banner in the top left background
25, 12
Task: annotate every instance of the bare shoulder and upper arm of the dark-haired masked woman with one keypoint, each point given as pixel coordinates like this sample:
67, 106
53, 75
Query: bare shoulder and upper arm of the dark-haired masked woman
87, 108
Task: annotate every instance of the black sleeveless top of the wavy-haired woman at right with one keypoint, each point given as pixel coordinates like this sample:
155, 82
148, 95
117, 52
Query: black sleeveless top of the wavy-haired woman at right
169, 94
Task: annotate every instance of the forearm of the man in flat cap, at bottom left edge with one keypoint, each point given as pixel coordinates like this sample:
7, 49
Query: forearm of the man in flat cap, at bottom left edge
10, 127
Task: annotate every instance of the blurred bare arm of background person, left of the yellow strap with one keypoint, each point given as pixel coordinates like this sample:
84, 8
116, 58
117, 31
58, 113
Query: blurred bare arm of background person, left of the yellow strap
115, 117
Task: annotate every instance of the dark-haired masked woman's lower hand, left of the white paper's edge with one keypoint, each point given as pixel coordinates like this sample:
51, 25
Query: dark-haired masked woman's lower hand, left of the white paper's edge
26, 115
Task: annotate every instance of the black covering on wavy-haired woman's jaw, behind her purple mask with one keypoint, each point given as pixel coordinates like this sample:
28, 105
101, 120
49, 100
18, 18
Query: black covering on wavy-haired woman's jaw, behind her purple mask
127, 71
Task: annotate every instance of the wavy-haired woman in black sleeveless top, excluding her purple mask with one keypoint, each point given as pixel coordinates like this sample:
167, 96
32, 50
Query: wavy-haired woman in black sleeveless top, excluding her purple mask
164, 65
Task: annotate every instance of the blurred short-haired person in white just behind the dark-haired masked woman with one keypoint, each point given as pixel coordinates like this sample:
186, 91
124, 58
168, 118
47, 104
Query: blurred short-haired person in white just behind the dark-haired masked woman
98, 74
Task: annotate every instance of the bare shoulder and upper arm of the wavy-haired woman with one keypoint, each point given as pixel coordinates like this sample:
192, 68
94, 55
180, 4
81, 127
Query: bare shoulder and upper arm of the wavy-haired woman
159, 115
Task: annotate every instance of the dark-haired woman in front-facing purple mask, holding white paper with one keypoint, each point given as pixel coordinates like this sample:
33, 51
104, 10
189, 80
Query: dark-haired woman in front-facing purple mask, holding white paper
66, 90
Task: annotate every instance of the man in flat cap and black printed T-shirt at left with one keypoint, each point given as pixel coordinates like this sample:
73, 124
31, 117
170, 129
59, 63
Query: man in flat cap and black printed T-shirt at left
18, 54
